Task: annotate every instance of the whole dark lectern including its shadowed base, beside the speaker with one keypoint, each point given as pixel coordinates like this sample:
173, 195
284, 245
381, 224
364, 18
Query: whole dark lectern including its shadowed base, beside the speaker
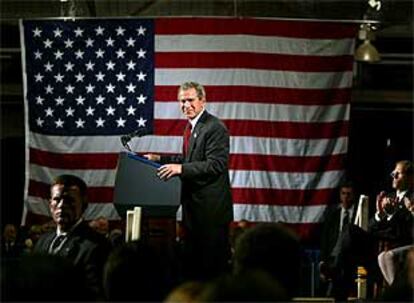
137, 184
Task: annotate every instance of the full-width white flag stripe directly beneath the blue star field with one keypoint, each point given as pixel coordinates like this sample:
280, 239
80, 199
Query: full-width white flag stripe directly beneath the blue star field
173, 144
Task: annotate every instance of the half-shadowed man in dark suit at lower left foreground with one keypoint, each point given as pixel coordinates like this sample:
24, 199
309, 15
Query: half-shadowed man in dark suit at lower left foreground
73, 238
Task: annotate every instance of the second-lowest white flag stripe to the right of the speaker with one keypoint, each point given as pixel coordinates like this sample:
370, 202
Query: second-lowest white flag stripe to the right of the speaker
283, 180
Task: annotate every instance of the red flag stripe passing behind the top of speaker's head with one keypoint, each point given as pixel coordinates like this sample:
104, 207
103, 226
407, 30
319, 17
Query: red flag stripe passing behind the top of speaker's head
266, 95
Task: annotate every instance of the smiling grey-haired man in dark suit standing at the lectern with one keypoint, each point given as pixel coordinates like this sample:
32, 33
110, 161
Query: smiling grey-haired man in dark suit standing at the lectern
205, 196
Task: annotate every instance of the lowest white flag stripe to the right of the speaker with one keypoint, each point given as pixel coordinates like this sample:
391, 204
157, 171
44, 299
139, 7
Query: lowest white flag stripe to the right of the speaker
271, 213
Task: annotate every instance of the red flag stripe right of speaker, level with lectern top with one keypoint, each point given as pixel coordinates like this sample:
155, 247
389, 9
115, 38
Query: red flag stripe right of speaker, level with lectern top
286, 163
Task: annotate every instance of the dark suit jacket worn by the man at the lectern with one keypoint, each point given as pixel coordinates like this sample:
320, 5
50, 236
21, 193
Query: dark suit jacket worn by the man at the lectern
205, 196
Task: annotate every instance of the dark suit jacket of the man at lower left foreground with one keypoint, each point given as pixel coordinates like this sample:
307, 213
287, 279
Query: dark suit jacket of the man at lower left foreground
86, 249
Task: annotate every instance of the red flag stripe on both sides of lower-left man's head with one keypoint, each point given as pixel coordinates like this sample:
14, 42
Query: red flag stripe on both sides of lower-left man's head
95, 194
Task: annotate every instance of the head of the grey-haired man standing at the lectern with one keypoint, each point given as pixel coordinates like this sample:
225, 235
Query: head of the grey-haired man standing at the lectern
192, 98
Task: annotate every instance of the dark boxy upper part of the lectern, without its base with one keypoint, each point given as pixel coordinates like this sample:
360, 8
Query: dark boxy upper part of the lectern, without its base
137, 184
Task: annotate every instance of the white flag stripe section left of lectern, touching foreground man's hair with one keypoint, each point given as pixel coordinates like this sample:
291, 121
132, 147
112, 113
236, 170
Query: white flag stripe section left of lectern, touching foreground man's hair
92, 177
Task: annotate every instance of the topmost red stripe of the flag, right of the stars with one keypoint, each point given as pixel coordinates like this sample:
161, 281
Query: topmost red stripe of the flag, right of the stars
247, 26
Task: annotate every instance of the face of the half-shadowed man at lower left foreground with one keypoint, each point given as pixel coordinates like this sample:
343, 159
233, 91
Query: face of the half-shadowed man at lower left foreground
65, 205
